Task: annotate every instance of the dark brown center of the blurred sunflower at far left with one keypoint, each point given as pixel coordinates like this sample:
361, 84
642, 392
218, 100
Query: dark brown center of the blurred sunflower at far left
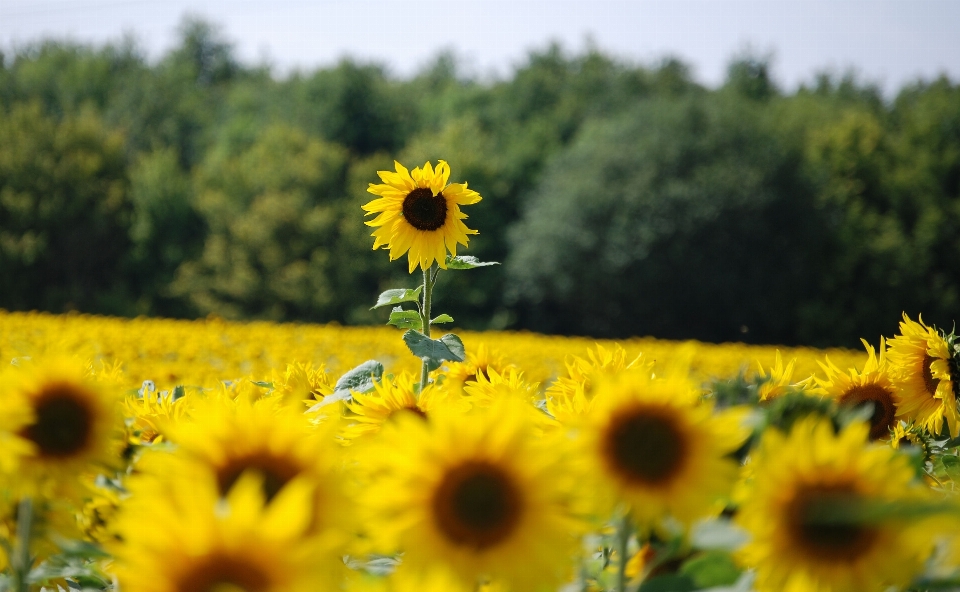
64, 422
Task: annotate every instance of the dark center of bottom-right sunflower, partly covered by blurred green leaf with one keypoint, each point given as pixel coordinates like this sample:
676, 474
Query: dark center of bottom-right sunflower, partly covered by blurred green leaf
813, 521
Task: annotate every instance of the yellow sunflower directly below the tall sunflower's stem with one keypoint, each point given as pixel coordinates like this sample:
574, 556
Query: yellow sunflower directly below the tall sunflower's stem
368, 412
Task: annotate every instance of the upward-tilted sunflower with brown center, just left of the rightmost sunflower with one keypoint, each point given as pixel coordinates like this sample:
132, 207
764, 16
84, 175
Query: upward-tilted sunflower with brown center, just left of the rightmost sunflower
868, 386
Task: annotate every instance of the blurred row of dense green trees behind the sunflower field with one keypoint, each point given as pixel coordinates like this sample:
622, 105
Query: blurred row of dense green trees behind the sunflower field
623, 199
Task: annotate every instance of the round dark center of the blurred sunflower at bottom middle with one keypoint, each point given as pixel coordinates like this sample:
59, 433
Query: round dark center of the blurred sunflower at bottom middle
477, 505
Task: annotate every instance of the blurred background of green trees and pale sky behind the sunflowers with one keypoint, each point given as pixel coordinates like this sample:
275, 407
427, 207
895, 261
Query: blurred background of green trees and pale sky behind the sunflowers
720, 170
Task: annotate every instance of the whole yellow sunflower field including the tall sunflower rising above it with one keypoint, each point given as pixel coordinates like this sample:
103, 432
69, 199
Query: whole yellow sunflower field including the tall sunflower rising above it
213, 456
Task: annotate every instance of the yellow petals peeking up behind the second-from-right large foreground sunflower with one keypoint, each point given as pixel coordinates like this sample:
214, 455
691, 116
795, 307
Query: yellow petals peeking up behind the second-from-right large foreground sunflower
568, 397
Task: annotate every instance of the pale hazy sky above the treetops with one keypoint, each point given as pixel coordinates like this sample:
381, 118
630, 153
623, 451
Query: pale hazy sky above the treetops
886, 42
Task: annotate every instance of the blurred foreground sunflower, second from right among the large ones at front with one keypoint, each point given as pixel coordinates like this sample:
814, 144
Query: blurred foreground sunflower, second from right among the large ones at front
653, 445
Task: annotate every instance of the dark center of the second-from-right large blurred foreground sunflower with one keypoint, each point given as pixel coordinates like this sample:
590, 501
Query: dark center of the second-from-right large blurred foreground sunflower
645, 446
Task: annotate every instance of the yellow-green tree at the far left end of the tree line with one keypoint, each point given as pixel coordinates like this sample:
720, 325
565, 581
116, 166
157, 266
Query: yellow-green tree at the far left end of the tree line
64, 212
